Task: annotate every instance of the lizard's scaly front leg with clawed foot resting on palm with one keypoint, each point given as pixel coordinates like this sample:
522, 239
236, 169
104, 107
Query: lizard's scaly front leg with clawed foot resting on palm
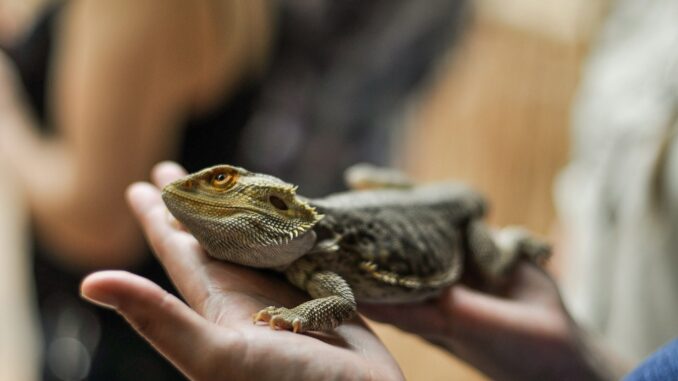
332, 303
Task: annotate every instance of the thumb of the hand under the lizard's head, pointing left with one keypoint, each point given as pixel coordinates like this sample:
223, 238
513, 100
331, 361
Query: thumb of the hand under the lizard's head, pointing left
168, 324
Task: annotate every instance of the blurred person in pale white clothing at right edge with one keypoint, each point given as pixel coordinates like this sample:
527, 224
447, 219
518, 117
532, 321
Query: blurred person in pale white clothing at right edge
618, 197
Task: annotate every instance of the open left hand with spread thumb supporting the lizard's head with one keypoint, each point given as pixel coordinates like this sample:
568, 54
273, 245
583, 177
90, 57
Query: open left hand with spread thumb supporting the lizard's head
215, 338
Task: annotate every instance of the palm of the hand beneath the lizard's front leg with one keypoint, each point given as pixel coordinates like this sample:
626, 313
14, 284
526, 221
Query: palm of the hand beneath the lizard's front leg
233, 294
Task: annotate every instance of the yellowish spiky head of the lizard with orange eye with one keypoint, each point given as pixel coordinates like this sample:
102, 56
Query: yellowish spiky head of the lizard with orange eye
243, 217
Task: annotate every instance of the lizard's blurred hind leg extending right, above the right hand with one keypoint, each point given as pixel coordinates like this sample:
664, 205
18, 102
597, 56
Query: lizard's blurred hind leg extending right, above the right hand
496, 252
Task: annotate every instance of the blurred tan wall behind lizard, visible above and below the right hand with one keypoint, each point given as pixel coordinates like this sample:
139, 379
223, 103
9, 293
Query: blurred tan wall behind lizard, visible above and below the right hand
496, 118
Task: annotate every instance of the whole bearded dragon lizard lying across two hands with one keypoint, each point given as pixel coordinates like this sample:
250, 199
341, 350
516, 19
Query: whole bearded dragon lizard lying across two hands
386, 240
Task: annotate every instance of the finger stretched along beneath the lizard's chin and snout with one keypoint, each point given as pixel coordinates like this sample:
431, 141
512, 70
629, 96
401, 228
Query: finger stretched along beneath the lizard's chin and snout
178, 251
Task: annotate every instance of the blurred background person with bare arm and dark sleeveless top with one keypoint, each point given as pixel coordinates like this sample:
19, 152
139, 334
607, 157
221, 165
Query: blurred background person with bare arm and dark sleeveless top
101, 90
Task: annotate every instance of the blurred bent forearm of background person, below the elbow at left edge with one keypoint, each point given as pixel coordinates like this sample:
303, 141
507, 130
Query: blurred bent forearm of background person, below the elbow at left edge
82, 228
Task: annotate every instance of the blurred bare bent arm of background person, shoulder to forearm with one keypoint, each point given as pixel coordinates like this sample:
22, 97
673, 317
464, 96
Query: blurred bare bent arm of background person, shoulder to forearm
123, 77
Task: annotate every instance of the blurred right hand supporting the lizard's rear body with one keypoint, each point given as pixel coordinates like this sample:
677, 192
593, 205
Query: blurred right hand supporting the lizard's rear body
519, 332
